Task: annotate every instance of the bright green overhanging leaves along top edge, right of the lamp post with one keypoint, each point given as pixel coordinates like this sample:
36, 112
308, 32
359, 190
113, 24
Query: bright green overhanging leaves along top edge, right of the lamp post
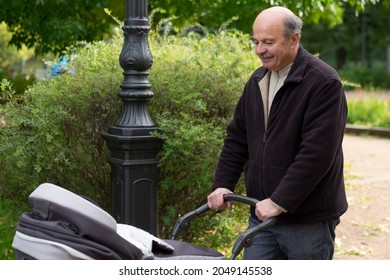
213, 13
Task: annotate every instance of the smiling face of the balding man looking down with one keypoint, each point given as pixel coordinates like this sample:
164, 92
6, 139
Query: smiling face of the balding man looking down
274, 50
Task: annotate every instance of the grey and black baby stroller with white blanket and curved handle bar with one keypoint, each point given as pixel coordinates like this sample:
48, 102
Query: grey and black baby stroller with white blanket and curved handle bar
66, 226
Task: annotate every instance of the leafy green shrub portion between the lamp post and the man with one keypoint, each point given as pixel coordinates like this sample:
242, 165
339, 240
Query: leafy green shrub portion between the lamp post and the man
194, 100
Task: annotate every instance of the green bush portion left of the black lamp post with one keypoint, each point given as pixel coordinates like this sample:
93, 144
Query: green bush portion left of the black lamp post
53, 133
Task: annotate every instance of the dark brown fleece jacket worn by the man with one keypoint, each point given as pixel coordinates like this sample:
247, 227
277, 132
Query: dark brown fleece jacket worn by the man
298, 160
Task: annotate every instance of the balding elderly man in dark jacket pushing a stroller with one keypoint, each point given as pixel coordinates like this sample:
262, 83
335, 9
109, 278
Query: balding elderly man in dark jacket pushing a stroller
286, 137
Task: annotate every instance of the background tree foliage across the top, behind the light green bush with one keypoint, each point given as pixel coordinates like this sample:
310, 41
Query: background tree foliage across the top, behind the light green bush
347, 34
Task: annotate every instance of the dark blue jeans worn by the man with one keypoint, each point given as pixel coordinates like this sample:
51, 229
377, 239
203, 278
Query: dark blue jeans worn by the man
293, 241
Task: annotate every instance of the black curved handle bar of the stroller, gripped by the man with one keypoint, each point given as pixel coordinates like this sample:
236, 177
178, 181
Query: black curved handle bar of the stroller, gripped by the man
245, 239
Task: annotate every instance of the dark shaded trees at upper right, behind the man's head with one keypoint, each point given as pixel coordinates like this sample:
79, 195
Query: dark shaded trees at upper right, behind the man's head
362, 38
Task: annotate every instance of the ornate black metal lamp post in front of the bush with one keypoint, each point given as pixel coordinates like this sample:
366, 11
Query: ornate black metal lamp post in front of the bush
134, 171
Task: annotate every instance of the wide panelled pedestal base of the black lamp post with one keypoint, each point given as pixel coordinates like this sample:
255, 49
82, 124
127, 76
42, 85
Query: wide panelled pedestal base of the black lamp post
134, 179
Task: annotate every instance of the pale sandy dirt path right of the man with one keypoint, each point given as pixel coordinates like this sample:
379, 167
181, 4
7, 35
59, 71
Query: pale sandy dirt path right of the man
364, 230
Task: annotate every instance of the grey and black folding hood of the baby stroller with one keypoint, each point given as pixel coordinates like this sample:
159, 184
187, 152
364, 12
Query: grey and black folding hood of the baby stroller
60, 216
